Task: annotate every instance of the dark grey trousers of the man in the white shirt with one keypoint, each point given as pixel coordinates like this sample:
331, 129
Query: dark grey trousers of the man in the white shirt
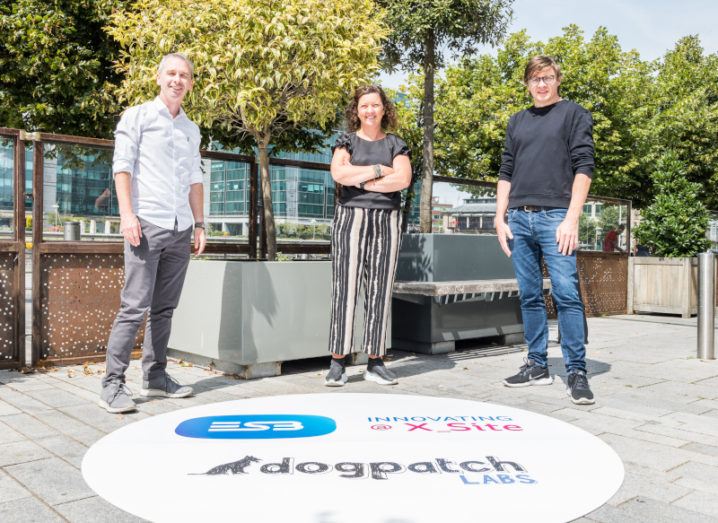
154, 275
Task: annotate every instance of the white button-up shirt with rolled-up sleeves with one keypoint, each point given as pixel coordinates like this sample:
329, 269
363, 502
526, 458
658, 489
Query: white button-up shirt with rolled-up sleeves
161, 154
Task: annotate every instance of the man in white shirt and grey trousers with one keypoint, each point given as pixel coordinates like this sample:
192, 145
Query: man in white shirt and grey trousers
158, 179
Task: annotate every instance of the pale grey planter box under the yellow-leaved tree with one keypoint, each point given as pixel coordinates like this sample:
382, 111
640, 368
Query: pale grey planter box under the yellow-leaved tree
248, 317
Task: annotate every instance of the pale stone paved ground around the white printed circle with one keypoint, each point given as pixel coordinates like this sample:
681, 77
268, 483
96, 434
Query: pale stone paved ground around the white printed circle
657, 406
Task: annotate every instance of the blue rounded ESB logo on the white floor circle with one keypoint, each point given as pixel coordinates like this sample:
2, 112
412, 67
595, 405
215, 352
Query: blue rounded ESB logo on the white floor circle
256, 426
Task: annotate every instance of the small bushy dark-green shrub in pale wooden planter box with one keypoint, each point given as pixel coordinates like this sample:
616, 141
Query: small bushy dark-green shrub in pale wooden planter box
673, 228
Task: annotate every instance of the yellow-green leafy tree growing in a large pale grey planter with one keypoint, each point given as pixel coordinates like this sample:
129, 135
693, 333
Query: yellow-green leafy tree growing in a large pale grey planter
272, 74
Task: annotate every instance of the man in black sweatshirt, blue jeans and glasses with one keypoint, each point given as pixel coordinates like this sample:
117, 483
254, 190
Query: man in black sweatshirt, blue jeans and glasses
545, 175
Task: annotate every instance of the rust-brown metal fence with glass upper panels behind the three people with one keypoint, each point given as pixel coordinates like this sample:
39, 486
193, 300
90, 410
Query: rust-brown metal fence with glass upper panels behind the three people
76, 284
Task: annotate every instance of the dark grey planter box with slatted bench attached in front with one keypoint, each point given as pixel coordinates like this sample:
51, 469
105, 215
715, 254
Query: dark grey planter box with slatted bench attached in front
433, 325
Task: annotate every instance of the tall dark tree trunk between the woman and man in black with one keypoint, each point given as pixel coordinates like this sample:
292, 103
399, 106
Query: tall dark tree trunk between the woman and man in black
428, 151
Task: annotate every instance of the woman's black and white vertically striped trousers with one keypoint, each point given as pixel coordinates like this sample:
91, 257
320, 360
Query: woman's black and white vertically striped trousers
365, 248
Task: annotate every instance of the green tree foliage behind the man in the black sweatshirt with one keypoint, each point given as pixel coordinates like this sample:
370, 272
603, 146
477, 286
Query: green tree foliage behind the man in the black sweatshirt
640, 109
